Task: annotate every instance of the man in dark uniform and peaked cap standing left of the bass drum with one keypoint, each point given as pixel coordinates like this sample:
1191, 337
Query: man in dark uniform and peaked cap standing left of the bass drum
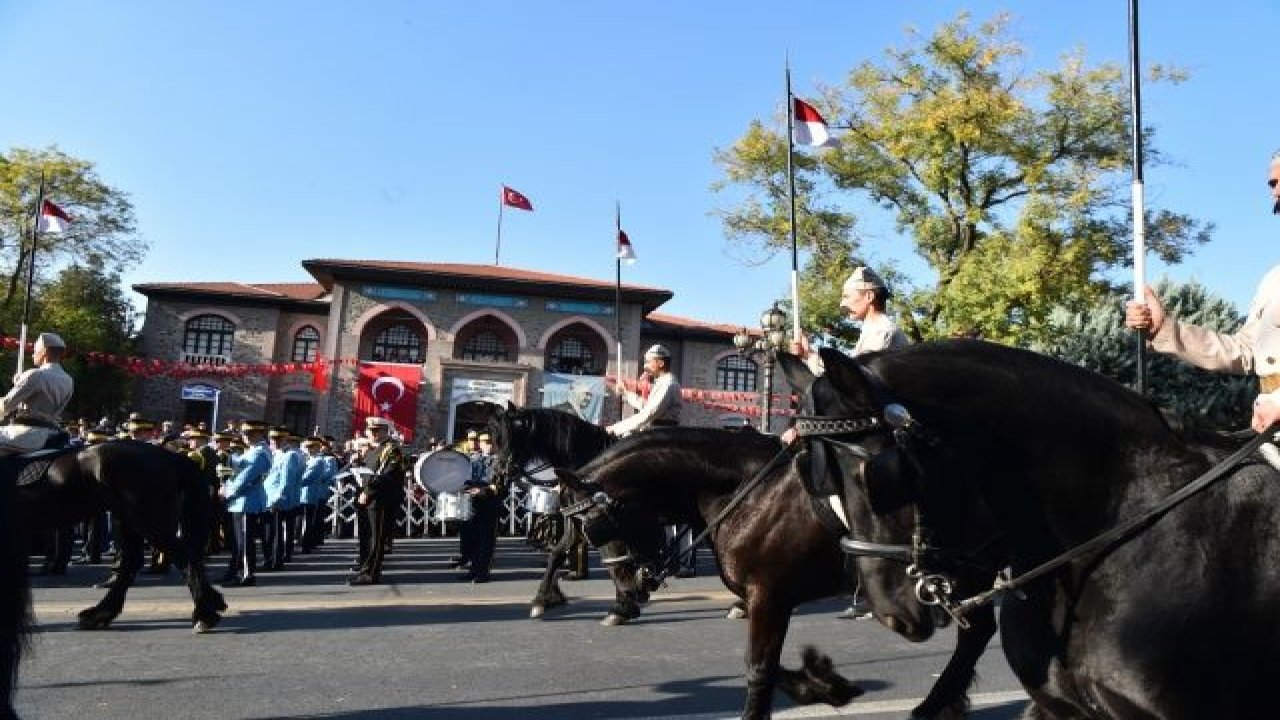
380, 499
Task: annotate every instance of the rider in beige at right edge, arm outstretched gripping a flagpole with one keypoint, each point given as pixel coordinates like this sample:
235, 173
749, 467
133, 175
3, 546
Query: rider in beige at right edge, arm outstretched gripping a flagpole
1254, 349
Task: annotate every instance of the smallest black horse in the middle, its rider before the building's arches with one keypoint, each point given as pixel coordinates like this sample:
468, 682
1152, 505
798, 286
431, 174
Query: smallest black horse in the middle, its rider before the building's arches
532, 438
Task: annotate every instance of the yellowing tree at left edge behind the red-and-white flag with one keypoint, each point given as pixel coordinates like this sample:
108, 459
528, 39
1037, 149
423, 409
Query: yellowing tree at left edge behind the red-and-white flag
102, 234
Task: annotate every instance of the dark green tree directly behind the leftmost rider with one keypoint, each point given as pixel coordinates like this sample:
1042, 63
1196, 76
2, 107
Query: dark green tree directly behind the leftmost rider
88, 308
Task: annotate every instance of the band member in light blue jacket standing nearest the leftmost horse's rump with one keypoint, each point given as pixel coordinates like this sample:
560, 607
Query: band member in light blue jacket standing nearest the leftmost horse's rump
246, 500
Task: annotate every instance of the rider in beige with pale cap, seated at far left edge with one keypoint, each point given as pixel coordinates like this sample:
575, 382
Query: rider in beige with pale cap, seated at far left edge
39, 397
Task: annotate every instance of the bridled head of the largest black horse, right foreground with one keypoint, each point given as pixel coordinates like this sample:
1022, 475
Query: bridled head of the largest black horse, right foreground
856, 443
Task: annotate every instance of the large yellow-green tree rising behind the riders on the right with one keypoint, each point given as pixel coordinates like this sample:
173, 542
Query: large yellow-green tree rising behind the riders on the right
1012, 185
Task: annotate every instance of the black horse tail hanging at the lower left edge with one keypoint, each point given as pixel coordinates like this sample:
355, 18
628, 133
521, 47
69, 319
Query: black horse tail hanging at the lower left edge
16, 618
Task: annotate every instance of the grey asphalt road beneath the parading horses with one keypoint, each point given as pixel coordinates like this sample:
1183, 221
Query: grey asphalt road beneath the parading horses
424, 646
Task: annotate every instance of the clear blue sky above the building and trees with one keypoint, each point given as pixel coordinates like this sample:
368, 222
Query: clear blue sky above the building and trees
254, 135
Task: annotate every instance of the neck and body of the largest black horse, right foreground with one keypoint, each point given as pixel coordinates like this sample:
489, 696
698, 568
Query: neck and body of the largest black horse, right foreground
1174, 621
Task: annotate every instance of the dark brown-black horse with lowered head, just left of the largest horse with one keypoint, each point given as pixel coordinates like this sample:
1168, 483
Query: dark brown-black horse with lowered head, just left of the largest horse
774, 552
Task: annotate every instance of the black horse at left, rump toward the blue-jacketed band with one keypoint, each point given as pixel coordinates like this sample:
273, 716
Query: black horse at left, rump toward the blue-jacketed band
153, 495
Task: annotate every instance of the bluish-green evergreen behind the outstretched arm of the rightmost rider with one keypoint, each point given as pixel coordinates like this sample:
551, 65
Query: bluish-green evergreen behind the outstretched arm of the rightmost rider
1096, 339
